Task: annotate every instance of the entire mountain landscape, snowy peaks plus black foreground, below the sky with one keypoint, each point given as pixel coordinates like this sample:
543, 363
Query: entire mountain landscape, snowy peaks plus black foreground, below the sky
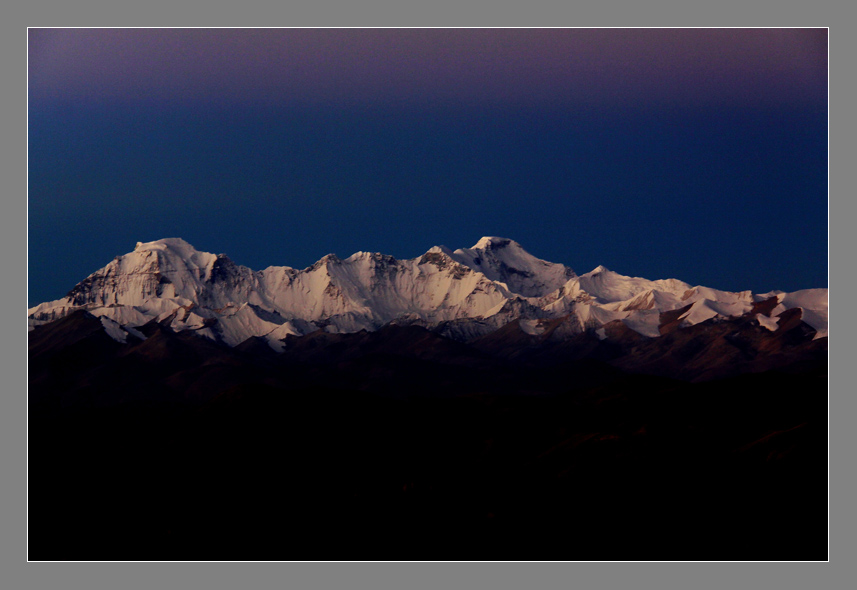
181, 410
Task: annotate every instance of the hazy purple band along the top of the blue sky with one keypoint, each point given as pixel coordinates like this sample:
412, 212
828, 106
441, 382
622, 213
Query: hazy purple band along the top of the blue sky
504, 67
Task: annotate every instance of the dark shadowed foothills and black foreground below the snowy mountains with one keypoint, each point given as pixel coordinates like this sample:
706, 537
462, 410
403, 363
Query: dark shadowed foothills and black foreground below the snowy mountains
709, 443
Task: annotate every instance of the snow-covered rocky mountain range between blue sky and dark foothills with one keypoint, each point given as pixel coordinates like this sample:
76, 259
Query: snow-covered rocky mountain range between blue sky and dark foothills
462, 294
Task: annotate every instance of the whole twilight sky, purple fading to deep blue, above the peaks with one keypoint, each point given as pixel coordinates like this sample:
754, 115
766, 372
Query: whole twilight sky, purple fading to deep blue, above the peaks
693, 153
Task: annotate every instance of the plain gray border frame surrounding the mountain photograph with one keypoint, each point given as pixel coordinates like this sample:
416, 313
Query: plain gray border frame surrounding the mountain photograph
330, 575
